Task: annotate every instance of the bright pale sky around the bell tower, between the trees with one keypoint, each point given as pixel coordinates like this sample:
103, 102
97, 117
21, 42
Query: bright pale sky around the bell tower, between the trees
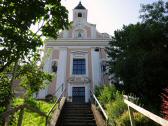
109, 15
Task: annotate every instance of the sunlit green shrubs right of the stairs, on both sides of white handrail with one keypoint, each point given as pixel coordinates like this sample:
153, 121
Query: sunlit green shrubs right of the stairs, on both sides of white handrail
112, 101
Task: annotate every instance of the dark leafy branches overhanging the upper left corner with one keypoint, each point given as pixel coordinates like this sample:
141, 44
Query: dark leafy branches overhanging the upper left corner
16, 19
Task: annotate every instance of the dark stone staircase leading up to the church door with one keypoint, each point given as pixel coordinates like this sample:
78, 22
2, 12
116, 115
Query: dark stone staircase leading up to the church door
77, 114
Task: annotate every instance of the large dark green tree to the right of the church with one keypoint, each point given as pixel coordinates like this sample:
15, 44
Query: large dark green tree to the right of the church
138, 54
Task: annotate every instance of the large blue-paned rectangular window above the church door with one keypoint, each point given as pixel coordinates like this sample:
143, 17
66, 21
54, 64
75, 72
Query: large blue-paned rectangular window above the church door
79, 66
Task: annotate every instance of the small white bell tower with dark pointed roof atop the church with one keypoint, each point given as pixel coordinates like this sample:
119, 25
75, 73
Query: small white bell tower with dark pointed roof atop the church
80, 14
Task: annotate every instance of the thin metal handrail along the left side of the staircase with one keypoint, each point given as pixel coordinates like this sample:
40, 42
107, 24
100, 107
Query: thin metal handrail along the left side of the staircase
57, 102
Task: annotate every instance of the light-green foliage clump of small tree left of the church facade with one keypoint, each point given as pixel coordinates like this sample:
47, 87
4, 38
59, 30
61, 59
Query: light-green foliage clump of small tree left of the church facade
33, 78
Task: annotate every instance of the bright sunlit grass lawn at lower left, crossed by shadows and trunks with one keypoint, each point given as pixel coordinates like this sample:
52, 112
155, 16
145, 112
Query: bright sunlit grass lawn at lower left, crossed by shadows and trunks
30, 118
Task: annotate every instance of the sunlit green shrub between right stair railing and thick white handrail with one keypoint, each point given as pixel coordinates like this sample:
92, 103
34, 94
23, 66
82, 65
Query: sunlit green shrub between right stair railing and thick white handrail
112, 100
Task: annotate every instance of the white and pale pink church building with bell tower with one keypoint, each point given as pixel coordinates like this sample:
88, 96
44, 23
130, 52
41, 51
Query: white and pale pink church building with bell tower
77, 58
